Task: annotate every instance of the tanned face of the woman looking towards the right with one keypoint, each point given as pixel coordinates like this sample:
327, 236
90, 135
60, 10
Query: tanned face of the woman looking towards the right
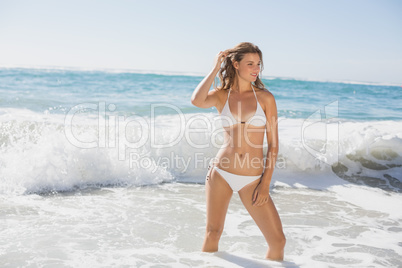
249, 67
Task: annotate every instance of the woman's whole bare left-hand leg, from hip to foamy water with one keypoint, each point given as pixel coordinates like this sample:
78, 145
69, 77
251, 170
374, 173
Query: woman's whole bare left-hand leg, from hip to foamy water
218, 194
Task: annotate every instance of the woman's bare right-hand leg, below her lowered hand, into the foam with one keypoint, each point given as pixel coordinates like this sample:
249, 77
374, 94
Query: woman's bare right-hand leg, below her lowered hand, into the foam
267, 219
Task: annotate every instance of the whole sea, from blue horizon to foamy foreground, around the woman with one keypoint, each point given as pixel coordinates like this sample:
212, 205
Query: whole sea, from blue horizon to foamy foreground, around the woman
106, 168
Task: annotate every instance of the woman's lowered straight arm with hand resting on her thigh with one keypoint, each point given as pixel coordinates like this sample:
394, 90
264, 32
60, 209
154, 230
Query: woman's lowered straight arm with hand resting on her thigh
261, 192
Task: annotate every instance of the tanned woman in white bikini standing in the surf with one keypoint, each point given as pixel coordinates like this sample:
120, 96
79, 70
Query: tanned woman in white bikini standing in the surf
247, 110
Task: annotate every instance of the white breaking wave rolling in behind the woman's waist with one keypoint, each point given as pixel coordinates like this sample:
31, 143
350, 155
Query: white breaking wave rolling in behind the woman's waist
36, 154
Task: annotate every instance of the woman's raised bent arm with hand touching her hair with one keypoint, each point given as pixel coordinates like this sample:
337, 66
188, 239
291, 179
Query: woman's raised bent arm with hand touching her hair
201, 96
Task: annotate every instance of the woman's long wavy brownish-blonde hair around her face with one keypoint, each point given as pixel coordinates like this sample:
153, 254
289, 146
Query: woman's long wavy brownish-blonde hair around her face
227, 73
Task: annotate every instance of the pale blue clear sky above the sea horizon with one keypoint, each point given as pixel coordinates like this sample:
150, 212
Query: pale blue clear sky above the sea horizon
342, 40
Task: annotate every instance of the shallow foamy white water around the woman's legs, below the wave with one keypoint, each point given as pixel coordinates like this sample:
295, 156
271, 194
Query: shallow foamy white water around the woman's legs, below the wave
164, 224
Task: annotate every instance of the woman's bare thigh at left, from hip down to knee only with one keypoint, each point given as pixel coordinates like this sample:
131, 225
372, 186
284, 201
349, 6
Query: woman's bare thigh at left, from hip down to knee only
218, 194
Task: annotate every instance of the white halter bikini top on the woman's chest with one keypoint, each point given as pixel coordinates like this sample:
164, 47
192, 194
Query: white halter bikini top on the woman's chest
258, 119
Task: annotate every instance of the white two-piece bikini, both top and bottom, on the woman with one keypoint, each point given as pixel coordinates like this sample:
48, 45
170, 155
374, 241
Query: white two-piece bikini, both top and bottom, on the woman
237, 182
